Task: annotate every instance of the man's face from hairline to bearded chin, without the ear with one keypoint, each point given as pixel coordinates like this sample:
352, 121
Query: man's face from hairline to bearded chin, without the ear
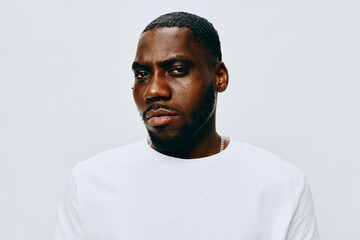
173, 89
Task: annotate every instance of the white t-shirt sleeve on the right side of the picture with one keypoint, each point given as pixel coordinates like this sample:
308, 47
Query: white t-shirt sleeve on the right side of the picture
303, 224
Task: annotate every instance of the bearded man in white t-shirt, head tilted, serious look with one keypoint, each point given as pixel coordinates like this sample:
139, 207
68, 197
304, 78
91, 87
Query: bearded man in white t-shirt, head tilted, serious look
185, 181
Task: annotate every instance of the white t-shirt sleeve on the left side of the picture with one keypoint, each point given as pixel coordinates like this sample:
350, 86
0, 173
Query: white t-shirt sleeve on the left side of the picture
67, 225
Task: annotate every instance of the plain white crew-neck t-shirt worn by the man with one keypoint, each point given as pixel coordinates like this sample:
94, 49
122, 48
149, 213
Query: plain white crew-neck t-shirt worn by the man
136, 193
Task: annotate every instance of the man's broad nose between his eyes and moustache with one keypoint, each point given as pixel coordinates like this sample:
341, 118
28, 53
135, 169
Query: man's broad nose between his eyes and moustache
157, 88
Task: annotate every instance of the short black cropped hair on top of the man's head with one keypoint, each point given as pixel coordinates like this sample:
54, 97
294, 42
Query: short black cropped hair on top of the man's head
203, 31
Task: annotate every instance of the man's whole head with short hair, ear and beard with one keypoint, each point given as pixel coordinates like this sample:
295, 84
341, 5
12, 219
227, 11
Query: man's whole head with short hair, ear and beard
178, 73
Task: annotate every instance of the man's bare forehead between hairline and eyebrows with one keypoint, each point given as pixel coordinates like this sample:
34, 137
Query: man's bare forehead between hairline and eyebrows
166, 42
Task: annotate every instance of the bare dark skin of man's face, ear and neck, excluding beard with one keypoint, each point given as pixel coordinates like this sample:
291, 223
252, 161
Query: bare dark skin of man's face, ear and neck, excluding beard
173, 70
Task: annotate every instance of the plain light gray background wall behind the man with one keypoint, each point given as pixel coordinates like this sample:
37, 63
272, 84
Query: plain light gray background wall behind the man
65, 95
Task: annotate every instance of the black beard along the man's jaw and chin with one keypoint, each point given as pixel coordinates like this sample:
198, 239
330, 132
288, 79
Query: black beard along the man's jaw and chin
199, 119
